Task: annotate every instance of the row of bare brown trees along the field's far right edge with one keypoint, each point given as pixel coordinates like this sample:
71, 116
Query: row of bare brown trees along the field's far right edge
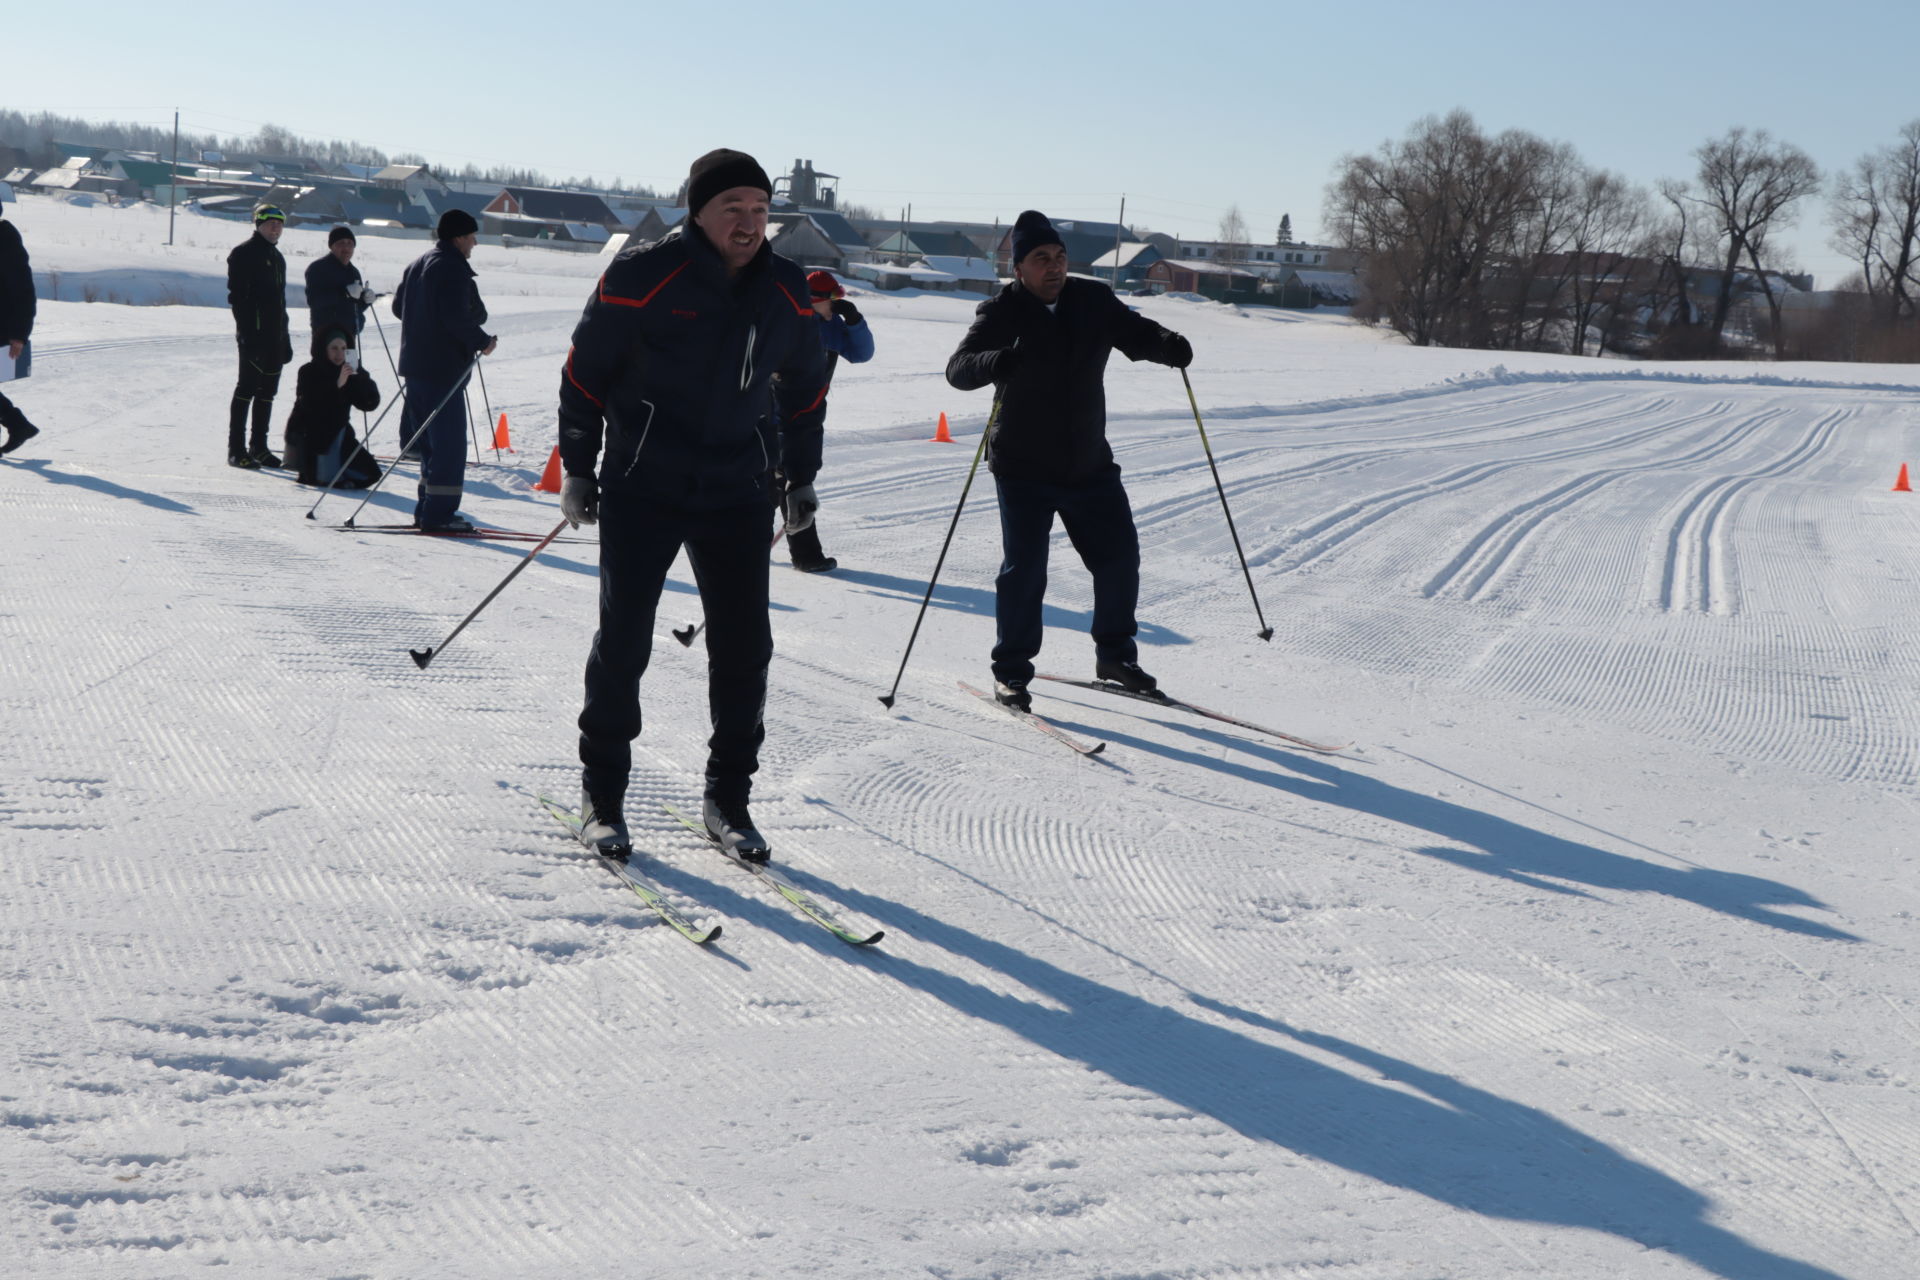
1514, 243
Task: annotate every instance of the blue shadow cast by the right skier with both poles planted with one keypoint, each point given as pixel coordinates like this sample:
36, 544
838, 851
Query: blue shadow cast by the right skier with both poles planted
1499, 845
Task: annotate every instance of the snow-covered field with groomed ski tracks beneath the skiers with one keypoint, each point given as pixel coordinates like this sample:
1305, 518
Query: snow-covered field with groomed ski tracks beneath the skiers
1595, 957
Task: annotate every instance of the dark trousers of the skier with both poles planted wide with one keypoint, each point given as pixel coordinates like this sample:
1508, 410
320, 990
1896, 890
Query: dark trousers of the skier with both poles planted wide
1101, 527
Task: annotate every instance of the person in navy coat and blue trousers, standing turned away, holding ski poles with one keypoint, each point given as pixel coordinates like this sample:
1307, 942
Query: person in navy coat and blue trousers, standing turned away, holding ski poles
441, 339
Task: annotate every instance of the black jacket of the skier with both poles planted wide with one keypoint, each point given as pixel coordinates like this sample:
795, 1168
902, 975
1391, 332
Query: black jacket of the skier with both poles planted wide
1053, 387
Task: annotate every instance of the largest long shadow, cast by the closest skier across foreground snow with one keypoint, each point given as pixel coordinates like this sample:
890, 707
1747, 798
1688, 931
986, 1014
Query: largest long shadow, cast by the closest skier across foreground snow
1456, 1145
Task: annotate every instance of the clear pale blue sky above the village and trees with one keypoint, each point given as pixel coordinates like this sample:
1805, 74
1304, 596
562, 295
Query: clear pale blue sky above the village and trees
982, 110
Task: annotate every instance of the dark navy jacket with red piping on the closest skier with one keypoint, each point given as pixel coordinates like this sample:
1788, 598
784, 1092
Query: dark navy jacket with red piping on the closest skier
677, 366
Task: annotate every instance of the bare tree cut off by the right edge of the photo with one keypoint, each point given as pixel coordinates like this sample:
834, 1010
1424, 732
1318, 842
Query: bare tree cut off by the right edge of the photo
1877, 224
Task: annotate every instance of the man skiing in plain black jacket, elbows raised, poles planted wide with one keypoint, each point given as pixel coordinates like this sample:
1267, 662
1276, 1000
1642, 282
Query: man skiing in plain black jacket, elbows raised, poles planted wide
1044, 344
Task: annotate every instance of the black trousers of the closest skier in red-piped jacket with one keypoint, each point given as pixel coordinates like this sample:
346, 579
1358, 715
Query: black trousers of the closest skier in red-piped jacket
727, 550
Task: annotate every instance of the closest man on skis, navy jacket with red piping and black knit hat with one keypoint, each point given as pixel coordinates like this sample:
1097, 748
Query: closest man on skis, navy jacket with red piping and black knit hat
673, 367
